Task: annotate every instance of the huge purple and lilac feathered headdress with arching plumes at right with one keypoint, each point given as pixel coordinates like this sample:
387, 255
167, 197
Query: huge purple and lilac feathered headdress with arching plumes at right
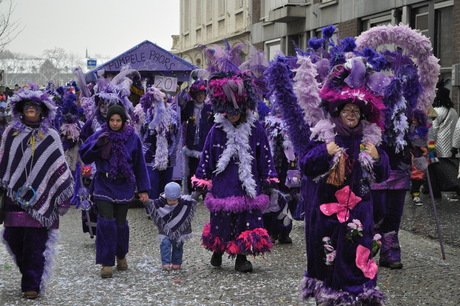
388, 85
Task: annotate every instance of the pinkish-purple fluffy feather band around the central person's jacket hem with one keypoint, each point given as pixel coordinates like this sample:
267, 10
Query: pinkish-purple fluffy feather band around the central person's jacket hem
236, 204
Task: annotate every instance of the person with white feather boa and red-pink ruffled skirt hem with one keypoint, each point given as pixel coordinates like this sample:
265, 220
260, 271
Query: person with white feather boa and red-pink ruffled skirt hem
235, 166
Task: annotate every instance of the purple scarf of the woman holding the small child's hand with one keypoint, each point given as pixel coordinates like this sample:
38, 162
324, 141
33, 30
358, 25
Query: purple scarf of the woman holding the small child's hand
115, 151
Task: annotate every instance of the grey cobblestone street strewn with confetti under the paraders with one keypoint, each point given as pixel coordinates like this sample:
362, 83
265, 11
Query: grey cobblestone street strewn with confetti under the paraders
426, 279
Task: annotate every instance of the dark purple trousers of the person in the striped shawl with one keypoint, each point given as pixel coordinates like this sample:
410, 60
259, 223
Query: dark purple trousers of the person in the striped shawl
28, 245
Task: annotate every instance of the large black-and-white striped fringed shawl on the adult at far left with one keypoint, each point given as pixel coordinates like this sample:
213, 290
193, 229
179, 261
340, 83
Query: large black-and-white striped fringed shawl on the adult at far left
47, 171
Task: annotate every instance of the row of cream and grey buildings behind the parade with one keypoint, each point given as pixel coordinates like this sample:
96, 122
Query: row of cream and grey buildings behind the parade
283, 25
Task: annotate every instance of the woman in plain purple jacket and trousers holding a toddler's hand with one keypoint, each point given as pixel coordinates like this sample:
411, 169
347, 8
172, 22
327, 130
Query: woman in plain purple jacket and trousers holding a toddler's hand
117, 151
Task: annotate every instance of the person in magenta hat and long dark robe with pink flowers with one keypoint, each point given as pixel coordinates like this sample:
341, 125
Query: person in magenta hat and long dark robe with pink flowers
341, 164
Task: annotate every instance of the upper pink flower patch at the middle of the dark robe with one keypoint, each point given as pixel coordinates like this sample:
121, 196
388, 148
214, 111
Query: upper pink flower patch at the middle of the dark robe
347, 200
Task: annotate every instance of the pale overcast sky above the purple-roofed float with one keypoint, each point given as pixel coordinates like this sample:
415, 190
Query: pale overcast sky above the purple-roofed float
106, 28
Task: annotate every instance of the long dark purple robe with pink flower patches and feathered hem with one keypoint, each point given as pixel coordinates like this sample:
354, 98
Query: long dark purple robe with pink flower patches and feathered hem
340, 278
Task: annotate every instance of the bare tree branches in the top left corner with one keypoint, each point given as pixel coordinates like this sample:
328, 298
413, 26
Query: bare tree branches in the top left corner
9, 29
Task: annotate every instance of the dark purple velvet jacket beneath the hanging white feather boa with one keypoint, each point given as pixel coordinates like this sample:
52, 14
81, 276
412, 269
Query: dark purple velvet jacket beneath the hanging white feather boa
227, 183
